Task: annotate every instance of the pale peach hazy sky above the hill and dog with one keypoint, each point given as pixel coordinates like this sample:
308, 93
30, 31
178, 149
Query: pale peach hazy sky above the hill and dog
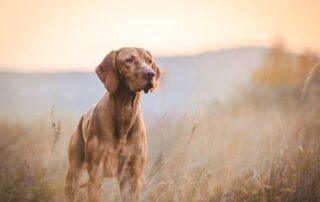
74, 35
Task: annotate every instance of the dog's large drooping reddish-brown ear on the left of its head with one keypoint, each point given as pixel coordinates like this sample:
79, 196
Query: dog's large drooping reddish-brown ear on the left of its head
107, 72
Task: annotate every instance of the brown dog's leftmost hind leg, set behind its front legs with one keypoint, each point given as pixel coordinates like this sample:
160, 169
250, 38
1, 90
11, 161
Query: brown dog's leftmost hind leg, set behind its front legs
76, 161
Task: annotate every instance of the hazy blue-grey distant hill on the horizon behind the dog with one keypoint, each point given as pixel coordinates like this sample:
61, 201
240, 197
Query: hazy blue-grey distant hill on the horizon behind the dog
186, 82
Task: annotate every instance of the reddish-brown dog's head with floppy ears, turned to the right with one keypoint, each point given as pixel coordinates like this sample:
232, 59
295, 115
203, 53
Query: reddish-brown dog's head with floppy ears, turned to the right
134, 68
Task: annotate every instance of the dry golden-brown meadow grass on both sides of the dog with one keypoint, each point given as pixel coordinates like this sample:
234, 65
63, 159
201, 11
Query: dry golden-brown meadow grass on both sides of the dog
262, 147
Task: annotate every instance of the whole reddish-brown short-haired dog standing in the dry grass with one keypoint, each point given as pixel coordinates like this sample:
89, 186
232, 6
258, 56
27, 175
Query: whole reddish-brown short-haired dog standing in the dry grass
110, 140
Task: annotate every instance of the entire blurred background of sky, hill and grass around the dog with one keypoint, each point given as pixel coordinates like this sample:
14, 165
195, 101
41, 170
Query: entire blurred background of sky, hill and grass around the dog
233, 118
